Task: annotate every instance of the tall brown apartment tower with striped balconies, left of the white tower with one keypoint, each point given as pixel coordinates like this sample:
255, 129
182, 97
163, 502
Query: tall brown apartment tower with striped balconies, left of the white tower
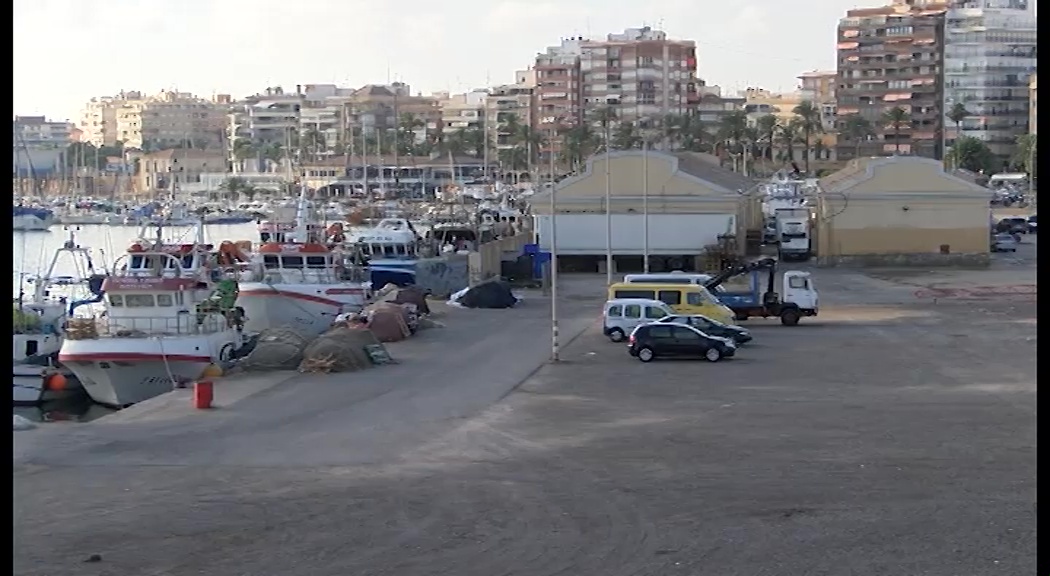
891, 57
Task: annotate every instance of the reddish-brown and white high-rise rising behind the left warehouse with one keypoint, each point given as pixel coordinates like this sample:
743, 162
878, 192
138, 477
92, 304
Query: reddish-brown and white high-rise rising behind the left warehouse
640, 75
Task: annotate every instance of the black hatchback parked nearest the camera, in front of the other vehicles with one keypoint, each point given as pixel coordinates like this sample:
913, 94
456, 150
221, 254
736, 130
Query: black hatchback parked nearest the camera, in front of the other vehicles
670, 340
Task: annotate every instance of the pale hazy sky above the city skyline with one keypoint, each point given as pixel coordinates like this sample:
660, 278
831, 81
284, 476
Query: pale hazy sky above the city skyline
68, 52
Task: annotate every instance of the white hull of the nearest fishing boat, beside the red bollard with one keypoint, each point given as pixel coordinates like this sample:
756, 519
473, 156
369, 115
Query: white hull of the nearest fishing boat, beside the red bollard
121, 372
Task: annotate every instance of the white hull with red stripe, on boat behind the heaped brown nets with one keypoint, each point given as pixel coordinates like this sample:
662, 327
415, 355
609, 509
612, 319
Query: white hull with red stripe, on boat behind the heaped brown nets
308, 309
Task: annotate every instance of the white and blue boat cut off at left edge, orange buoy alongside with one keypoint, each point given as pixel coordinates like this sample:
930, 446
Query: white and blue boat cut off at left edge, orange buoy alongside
39, 323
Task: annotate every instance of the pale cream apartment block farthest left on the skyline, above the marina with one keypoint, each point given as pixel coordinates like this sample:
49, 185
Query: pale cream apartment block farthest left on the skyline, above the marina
156, 122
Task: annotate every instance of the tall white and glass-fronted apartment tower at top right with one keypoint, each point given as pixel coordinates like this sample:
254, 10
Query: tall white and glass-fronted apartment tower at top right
990, 56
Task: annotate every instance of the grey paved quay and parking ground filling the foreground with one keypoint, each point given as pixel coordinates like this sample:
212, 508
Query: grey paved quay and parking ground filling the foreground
890, 436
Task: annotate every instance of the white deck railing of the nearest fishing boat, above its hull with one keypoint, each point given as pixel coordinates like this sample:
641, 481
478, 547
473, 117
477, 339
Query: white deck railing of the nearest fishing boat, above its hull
145, 327
